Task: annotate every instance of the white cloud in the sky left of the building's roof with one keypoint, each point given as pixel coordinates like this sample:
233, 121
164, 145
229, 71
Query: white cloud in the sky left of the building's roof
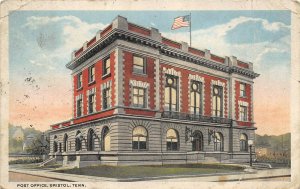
73, 34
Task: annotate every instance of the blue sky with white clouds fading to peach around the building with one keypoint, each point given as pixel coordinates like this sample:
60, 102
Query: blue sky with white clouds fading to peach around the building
41, 43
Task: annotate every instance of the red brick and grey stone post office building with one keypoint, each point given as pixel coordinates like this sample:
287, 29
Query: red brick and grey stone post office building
141, 98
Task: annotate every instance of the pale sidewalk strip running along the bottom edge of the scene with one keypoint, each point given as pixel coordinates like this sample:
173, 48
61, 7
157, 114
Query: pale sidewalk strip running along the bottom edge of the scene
238, 176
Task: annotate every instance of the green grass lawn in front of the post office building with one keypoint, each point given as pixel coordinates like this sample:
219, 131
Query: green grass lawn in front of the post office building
152, 171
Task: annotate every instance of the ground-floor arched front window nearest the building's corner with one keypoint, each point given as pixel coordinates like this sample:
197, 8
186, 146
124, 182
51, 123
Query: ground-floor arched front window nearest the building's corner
139, 138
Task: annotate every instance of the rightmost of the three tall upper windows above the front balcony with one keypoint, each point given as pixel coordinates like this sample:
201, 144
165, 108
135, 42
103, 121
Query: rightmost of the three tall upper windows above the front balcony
217, 109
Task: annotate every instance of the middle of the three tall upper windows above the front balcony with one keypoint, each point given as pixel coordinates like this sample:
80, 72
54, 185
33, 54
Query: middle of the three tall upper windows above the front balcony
196, 97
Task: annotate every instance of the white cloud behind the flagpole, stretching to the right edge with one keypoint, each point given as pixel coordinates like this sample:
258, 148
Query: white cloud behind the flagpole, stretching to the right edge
214, 38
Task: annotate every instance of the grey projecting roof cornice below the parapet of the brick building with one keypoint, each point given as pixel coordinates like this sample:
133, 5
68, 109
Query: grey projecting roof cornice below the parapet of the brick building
163, 49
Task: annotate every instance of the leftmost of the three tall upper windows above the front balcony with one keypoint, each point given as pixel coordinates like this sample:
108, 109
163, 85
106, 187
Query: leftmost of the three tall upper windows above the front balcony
171, 93
